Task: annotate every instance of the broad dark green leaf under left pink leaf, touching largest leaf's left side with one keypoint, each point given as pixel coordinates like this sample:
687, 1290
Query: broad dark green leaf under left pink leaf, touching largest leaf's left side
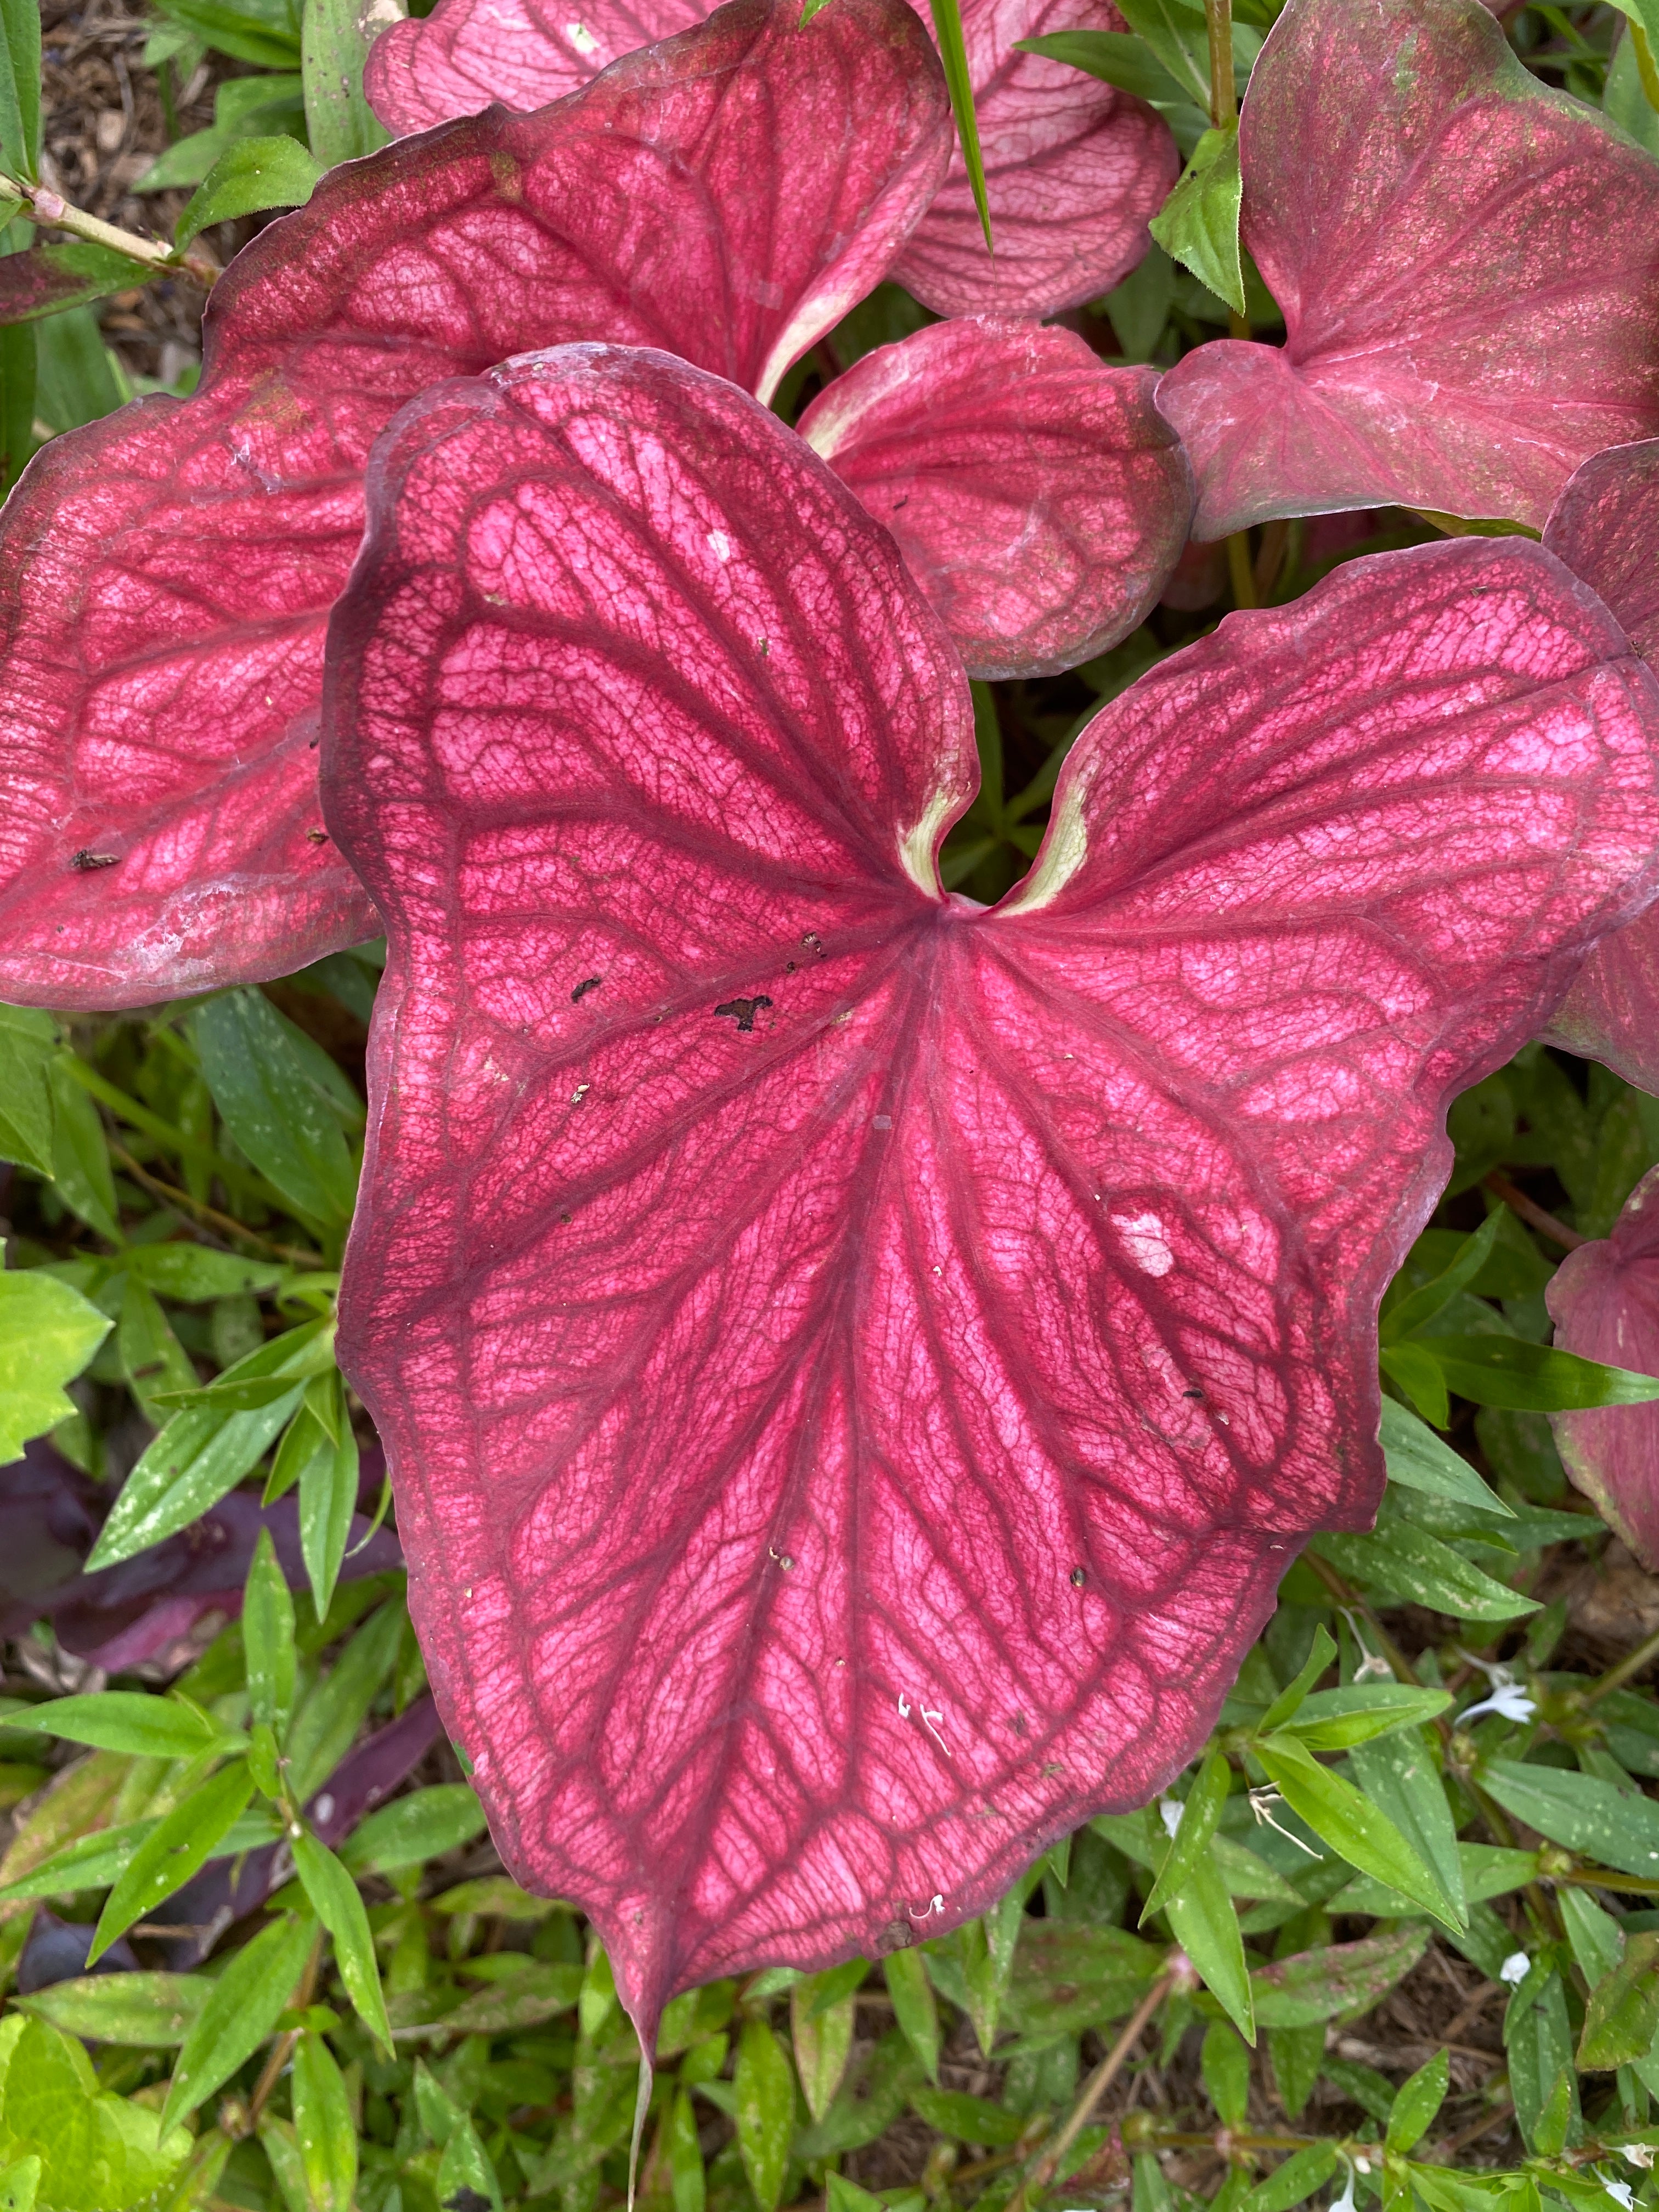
282, 1098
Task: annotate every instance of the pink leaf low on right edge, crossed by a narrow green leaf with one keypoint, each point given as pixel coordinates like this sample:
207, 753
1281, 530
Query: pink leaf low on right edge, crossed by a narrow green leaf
1605, 1304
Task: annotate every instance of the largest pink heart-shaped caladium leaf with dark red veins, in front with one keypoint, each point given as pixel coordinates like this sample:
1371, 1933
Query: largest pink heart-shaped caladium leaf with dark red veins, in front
855, 1366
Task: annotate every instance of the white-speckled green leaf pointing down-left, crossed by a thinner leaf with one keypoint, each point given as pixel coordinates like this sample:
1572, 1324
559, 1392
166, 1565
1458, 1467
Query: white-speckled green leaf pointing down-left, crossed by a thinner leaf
207, 1450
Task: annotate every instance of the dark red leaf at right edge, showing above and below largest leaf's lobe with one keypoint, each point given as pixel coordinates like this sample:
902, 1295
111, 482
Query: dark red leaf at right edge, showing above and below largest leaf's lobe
1607, 528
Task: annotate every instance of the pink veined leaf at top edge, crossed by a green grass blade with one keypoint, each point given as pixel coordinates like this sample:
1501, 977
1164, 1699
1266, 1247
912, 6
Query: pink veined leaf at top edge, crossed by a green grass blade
1072, 169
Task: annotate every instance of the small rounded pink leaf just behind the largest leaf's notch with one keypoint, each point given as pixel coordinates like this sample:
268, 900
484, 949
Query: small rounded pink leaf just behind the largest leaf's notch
1039, 497
